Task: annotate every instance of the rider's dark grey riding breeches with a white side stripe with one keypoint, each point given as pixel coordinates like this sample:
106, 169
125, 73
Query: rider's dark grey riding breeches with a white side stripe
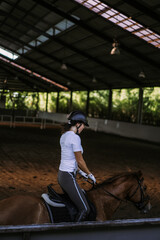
68, 183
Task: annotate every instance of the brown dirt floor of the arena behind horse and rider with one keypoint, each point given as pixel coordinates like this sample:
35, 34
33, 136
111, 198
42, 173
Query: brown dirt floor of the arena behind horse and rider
29, 160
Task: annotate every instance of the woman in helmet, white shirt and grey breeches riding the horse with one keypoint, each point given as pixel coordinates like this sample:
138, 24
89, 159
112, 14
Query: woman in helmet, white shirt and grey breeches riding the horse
72, 161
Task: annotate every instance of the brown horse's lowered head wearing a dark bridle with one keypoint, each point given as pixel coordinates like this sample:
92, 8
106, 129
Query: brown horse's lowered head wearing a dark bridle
138, 195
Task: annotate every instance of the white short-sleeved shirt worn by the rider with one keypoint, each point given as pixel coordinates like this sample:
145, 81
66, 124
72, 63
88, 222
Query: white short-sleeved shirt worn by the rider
70, 143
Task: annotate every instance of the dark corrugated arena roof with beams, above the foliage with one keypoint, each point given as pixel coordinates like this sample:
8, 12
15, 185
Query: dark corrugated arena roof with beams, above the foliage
45, 34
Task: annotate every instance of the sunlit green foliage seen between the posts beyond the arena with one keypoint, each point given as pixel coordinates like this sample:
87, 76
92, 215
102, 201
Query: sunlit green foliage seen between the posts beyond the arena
124, 103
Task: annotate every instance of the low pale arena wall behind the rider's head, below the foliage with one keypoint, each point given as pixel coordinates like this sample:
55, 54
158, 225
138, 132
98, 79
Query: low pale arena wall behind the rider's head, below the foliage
130, 130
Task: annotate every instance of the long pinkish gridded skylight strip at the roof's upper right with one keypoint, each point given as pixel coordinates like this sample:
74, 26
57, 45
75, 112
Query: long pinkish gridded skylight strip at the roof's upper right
121, 20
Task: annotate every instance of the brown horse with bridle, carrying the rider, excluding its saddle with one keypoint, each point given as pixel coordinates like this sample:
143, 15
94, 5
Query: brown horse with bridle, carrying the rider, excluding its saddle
106, 197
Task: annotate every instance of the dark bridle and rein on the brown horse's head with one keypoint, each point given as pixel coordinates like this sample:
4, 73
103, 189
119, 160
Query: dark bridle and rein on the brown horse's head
143, 201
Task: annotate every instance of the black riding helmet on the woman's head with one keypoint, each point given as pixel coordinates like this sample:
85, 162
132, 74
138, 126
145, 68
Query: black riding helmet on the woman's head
77, 117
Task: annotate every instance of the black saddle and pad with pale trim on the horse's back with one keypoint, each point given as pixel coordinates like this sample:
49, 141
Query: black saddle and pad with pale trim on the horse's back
61, 209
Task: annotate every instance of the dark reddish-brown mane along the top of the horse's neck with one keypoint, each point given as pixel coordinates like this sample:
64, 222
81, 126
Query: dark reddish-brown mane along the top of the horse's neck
115, 177
